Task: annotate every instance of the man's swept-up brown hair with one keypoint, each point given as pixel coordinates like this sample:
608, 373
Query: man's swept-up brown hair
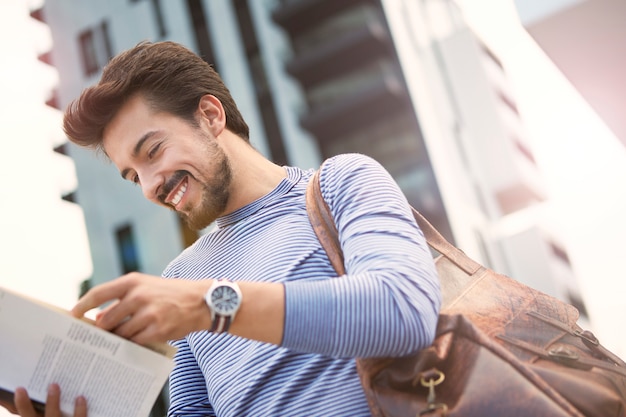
169, 76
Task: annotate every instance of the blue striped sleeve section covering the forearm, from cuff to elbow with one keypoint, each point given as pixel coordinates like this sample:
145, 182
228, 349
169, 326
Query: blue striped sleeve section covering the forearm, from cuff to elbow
381, 313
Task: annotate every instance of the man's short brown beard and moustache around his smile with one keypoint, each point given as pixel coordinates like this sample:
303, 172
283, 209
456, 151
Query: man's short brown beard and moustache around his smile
215, 189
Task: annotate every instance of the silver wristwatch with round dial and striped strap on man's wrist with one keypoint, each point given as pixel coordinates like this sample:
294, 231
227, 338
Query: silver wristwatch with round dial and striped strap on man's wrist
223, 299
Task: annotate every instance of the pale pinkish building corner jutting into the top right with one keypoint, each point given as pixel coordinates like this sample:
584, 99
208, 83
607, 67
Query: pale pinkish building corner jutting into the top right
586, 40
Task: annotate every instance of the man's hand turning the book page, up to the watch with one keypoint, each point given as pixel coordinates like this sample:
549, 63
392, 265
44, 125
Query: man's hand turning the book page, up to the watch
149, 309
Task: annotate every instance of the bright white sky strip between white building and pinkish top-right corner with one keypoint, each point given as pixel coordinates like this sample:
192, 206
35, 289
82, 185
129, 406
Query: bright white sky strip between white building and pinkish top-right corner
582, 163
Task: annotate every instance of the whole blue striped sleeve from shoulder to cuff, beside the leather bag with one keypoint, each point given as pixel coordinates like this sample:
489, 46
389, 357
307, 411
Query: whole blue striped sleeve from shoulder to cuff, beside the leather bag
388, 302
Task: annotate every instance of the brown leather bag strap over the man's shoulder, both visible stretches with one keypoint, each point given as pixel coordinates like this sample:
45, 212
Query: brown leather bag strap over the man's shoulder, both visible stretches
324, 226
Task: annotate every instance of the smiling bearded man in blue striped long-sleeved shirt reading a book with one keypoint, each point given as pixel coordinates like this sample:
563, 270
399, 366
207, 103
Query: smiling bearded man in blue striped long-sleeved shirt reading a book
262, 324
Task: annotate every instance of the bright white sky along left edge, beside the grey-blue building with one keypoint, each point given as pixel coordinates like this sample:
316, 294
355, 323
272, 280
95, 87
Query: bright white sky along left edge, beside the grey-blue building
44, 250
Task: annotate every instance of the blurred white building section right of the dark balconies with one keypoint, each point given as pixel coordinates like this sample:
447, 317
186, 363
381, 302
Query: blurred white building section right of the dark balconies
482, 158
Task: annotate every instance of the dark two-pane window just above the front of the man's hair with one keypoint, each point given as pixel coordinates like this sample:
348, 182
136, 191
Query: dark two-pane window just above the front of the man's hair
95, 48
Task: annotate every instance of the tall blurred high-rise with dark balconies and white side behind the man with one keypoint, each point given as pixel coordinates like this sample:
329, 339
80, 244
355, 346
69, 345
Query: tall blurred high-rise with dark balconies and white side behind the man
405, 82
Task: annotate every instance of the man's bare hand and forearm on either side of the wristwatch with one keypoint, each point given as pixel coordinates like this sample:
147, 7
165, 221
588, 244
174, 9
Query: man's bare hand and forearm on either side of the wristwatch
151, 309
